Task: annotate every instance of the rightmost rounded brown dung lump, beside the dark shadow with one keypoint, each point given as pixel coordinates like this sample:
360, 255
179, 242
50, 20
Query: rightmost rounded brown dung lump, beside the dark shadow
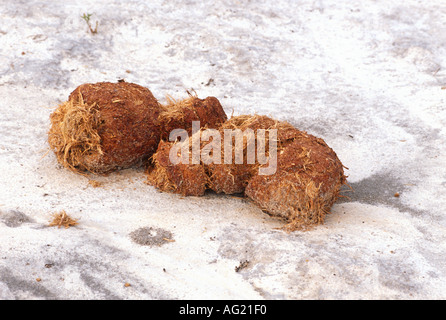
307, 182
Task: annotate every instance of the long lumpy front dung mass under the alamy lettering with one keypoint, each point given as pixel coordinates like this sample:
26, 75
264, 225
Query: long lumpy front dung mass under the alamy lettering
301, 190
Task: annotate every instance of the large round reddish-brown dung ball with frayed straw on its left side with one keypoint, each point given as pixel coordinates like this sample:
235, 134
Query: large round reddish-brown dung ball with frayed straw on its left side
105, 126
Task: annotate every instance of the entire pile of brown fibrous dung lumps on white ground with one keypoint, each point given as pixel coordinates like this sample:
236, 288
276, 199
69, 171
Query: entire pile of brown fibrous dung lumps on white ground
108, 126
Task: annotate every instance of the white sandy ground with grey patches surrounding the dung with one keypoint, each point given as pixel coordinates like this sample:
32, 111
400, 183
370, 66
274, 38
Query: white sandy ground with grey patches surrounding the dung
366, 76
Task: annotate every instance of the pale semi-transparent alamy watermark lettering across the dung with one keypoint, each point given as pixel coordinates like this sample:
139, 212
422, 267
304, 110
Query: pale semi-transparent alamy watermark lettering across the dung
190, 151
